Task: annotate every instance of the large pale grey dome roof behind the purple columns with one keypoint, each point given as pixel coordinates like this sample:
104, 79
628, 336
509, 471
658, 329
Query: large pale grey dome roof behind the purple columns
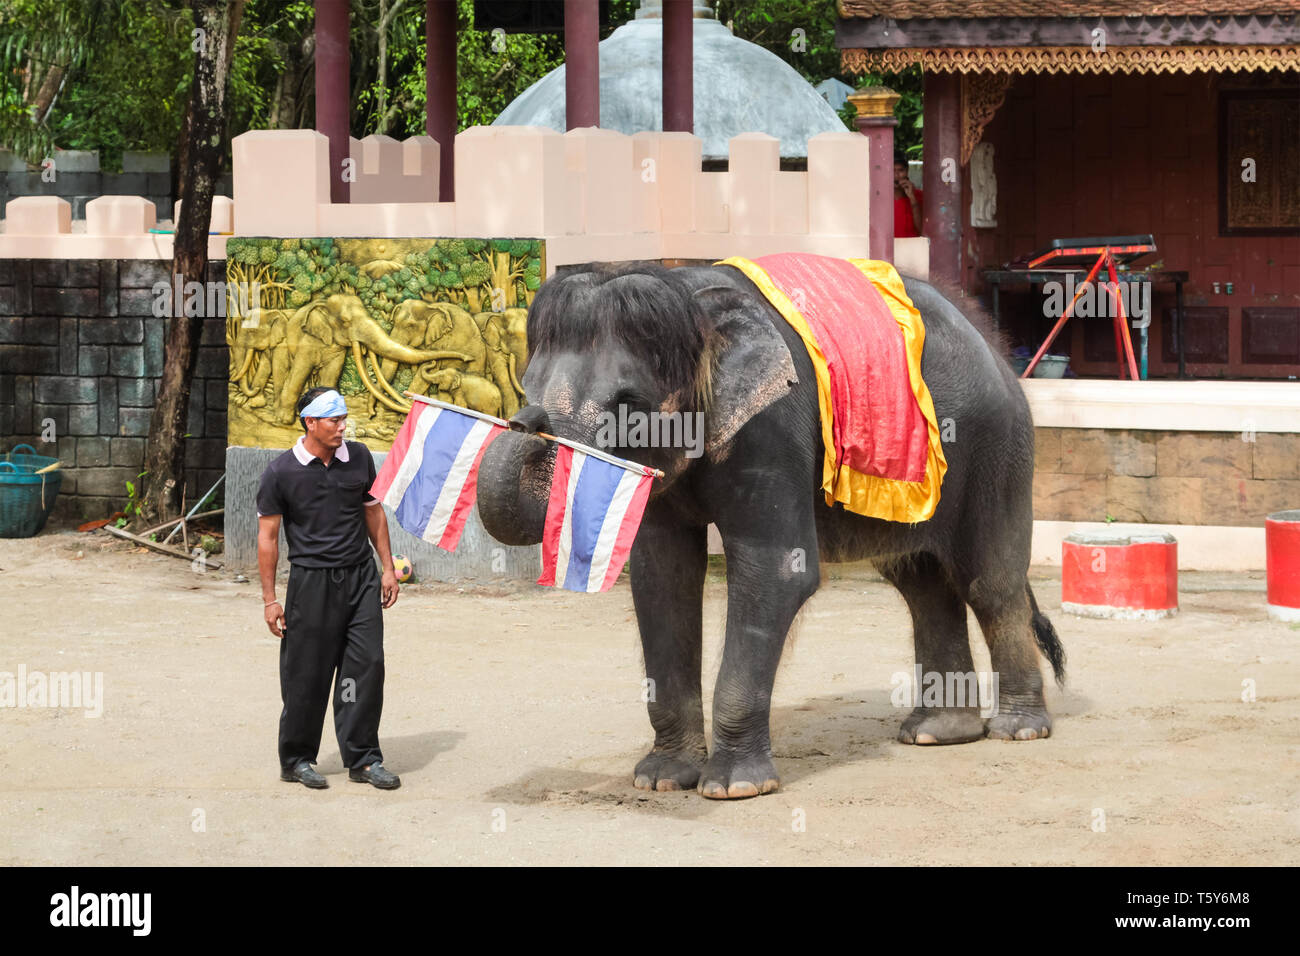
740, 88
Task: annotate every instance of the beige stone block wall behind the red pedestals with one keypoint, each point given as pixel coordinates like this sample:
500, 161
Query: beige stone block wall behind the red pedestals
1165, 477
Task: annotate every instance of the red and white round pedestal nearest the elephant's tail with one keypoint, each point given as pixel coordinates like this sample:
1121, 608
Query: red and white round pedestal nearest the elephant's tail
1120, 577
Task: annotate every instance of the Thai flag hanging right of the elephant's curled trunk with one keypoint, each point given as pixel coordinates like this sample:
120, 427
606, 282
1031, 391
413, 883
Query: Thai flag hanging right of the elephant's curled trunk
592, 521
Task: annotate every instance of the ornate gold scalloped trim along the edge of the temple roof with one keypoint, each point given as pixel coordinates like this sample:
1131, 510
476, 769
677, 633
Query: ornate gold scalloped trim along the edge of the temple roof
1074, 59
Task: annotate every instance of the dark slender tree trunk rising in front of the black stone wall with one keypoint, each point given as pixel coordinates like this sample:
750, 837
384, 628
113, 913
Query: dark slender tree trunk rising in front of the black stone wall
164, 453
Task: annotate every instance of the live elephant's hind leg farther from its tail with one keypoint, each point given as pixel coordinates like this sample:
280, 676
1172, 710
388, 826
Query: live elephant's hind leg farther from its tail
943, 650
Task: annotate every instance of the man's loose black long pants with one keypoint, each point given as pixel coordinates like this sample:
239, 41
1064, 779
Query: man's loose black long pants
333, 622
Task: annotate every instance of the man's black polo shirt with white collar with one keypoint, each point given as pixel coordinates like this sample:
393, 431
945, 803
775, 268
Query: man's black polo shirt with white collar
322, 508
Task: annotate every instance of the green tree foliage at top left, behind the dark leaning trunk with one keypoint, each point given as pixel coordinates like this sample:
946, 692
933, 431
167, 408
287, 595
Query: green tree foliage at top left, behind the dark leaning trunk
123, 73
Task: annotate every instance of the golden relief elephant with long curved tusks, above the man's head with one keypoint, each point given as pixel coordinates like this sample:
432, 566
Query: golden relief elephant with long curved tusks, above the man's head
319, 338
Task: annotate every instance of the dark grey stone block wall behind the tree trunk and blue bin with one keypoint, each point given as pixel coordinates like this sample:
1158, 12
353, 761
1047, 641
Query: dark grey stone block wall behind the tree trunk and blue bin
80, 347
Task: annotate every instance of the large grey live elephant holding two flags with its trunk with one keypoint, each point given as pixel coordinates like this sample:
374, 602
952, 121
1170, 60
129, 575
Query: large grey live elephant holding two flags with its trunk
704, 340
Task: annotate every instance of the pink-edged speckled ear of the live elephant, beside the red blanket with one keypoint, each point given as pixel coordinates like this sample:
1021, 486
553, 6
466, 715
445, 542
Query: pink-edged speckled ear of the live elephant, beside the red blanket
749, 365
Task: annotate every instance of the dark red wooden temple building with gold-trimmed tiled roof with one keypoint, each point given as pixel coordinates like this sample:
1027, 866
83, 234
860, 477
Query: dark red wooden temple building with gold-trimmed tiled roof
1173, 119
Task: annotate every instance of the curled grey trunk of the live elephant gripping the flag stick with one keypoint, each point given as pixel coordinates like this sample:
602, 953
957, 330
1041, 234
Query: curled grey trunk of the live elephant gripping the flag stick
514, 485
